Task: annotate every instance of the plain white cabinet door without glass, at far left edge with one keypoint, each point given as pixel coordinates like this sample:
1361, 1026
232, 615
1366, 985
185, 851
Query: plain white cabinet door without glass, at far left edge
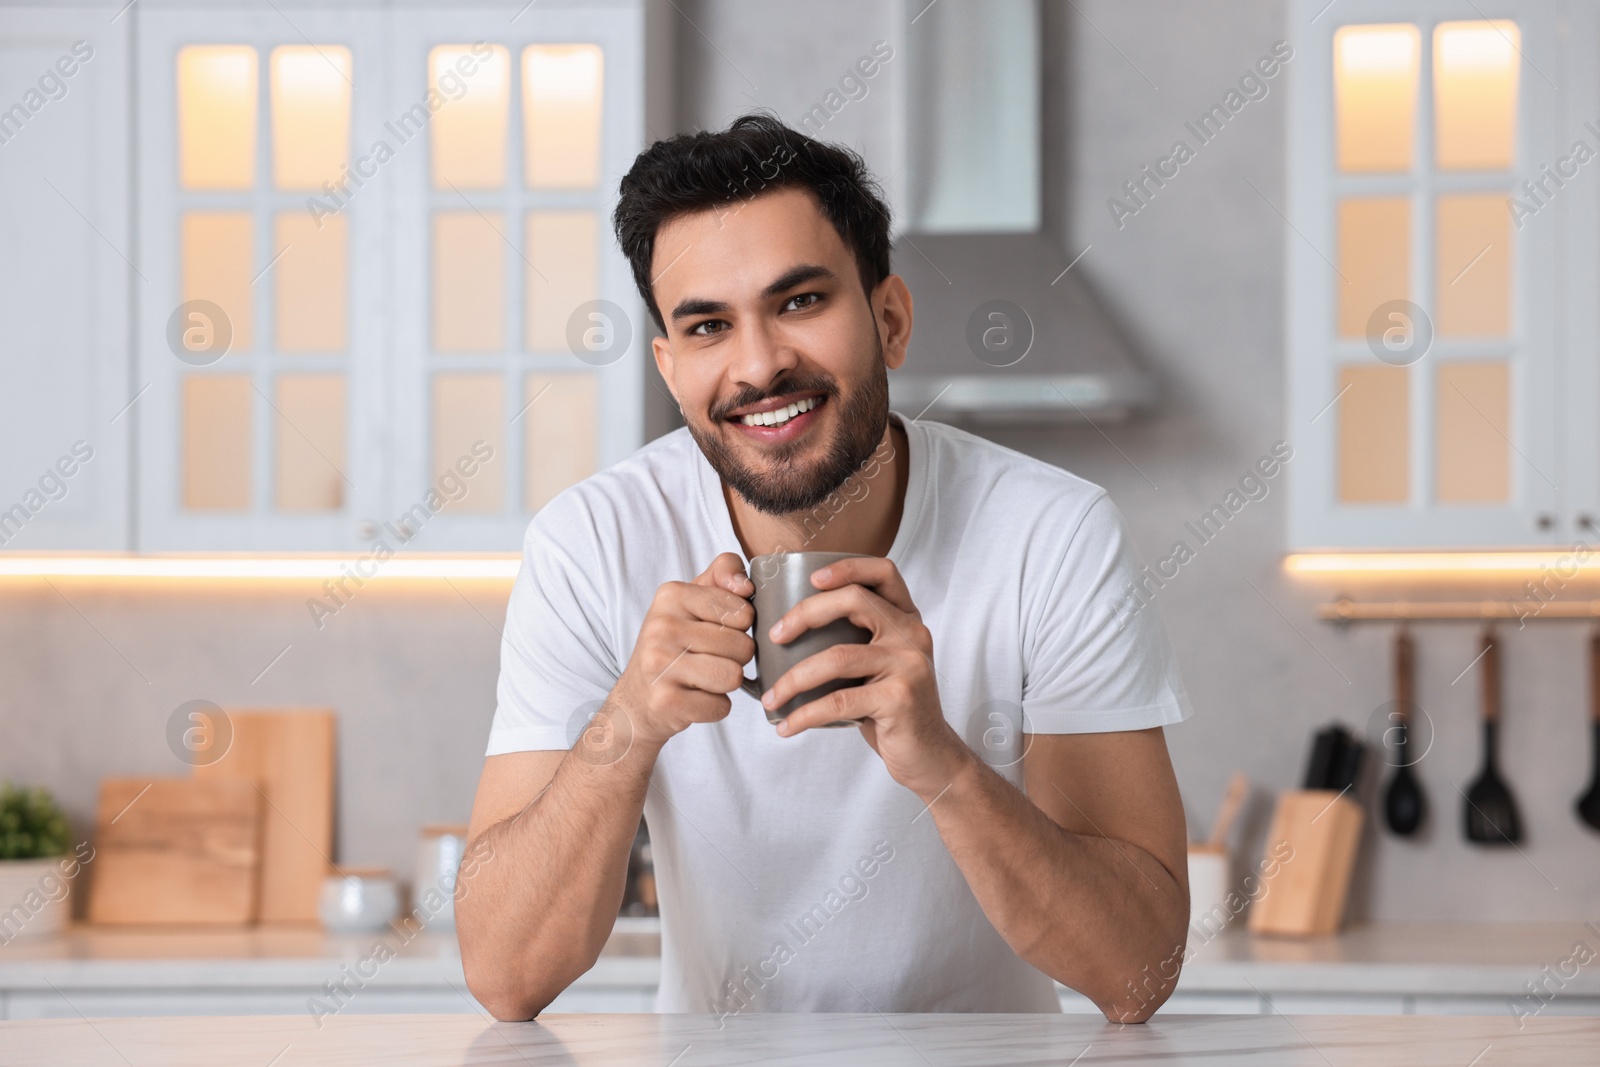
66, 273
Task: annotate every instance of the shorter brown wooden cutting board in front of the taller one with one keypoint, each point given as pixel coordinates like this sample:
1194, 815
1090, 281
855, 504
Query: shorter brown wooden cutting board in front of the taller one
175, 852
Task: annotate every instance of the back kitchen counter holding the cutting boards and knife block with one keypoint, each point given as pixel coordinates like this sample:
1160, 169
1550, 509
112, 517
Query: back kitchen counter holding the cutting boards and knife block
1383, 969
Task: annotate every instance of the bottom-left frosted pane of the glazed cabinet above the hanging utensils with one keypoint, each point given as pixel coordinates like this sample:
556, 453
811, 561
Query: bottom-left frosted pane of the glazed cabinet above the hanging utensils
1375, 434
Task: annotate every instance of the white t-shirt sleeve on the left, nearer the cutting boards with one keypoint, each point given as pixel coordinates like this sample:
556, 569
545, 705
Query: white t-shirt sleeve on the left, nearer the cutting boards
558, 663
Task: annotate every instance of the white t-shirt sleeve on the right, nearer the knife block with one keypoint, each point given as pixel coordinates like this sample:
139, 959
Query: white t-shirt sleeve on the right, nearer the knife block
1098, 657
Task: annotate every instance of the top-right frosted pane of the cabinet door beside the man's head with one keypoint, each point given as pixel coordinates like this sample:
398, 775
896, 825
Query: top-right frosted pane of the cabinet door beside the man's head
561, 114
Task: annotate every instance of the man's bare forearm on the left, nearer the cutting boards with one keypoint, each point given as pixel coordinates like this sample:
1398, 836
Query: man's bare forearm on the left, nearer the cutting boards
540, 914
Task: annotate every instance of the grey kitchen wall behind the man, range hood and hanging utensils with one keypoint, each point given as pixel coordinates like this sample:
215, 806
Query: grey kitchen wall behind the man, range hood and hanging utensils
1196, 279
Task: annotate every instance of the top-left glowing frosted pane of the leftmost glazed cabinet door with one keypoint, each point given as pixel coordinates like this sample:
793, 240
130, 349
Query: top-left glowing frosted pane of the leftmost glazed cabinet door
217, 116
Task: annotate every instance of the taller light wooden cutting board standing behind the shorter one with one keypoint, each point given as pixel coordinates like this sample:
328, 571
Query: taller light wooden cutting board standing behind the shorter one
289, 756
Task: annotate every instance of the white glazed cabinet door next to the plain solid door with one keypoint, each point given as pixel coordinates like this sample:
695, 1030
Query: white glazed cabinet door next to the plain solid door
263, 321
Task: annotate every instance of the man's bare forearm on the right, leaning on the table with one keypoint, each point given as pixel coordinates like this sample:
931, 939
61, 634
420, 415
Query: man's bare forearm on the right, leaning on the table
1097, 914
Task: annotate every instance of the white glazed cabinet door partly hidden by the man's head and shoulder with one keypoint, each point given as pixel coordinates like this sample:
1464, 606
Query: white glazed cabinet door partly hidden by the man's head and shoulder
519, 338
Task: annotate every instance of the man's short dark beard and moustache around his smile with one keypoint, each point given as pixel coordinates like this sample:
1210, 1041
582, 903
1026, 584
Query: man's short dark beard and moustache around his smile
785, 486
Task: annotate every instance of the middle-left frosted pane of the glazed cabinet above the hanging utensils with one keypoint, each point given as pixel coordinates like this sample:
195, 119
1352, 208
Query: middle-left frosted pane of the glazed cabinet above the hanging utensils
1375, 258
